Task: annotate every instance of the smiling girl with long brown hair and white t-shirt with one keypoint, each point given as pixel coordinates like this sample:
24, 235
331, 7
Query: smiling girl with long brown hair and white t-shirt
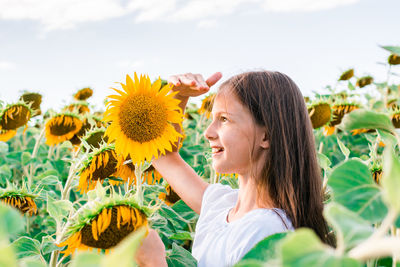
260, 130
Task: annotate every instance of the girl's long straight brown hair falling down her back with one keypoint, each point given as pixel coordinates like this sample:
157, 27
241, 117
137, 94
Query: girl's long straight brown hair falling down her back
291, 175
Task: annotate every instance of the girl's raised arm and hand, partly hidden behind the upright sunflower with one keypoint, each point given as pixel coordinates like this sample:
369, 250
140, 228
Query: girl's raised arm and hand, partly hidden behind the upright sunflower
181, 177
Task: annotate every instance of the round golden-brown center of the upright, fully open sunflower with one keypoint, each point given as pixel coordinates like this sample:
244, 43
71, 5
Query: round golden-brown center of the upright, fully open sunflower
142, 118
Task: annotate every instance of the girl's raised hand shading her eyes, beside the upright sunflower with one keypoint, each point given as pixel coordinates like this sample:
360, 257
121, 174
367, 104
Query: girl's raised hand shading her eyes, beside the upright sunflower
190, 84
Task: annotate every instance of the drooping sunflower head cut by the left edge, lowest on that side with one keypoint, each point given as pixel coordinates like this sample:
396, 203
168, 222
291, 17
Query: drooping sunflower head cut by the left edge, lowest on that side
20, 199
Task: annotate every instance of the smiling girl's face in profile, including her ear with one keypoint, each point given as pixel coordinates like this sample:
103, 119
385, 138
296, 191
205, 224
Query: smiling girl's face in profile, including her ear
237, 142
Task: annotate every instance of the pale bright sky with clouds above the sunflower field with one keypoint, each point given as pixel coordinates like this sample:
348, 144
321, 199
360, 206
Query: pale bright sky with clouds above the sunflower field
56, 47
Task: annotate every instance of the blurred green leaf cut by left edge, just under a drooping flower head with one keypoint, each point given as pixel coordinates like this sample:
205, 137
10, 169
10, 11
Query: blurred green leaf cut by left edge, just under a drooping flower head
11, 221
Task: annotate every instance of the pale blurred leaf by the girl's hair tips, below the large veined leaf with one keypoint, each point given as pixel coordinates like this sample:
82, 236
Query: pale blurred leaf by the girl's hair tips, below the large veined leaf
350, 228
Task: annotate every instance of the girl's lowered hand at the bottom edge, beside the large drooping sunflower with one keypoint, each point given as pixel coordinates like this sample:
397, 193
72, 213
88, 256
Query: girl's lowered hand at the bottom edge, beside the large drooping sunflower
152, 251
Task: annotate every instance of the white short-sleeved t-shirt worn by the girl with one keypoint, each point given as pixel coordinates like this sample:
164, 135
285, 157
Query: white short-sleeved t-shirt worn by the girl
219, 243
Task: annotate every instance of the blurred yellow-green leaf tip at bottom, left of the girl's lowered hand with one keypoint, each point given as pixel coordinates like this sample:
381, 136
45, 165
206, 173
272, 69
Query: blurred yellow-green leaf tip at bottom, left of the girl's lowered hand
122, 255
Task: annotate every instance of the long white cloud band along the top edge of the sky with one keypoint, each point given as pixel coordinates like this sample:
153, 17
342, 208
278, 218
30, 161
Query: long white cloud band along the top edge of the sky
64, 14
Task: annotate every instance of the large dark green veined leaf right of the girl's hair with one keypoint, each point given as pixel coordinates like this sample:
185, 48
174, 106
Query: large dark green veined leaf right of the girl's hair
354, 188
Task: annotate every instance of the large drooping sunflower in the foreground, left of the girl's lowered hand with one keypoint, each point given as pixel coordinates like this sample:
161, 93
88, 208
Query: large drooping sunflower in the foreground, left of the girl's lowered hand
104, 224
